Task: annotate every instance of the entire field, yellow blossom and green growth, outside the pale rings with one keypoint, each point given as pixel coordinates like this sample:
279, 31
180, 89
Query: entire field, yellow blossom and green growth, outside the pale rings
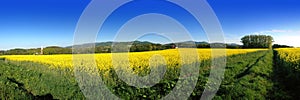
249, 73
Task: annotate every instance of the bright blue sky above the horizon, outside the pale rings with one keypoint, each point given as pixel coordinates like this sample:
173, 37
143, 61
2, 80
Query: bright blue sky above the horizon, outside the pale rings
36, 23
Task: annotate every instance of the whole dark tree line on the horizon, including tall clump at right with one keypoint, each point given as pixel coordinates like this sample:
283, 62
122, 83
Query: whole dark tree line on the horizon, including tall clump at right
249, 41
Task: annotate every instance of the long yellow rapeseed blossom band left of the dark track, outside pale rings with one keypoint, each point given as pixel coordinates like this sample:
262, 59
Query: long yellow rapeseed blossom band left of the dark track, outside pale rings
172, 58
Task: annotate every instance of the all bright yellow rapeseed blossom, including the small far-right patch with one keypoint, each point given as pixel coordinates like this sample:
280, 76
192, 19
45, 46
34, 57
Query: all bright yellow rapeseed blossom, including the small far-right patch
137, 60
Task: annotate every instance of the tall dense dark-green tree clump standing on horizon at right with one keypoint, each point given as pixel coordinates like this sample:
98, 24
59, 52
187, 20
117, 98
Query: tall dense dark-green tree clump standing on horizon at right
257, 41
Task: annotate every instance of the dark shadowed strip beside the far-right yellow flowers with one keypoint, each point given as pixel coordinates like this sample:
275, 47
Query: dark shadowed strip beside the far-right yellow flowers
286, 82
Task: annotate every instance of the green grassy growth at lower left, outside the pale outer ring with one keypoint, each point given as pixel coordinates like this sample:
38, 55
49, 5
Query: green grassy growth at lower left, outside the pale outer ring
27, 80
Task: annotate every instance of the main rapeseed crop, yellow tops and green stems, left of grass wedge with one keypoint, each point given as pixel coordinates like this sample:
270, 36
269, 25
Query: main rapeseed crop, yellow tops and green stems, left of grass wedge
43, 75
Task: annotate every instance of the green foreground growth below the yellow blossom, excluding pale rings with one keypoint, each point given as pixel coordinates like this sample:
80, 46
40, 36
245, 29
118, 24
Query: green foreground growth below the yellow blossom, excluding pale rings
255, 75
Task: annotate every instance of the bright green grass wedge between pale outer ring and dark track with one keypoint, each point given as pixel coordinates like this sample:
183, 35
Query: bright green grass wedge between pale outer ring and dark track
250, 78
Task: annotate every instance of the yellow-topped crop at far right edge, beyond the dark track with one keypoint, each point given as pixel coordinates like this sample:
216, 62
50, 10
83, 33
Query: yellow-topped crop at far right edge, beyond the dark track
288, 62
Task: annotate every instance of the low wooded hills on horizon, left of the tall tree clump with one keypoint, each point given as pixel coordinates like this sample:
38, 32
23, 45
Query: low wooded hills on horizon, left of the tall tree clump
106, 47
